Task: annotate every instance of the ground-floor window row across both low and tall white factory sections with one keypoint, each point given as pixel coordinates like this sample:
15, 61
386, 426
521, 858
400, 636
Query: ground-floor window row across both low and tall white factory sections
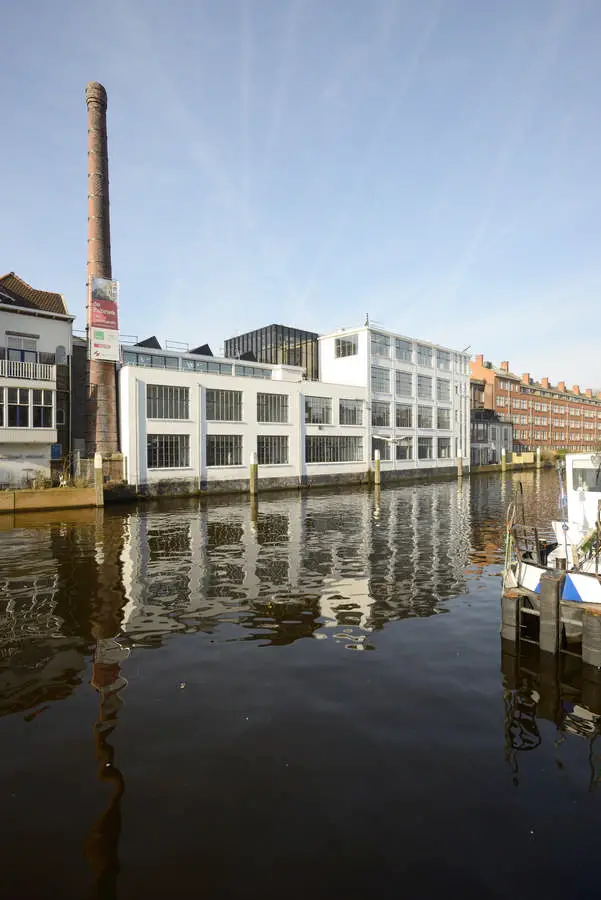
172, 451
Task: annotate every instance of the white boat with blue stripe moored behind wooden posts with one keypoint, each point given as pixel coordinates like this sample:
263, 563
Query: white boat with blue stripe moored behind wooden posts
575, 543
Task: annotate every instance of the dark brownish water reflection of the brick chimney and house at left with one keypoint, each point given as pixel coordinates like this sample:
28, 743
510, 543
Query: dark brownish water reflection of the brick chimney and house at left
60, 609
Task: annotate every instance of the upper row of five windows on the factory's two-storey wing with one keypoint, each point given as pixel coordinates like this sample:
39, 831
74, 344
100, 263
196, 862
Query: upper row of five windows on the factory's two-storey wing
165, 402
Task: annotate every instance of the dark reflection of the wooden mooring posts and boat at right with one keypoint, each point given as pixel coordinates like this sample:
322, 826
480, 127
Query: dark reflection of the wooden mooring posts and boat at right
559, 689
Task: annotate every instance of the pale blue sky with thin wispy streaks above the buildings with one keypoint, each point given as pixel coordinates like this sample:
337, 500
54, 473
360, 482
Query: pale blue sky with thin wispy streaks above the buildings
431, 163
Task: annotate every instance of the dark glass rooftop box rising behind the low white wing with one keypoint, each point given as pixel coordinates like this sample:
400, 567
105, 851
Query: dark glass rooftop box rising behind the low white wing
278, 344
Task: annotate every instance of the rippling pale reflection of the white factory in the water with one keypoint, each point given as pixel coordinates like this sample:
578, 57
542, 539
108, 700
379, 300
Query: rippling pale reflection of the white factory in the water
286, 569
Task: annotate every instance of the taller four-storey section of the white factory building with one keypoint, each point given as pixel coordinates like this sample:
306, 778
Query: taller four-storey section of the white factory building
417, 395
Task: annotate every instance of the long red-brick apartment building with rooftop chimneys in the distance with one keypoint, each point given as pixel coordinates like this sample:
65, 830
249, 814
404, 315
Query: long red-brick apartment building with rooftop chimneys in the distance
542, 414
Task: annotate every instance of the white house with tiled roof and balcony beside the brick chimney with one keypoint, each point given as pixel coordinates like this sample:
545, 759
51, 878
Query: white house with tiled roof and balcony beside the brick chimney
35, 350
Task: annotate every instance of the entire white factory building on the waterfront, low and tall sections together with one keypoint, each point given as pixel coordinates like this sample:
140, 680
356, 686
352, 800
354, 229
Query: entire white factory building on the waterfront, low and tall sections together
193, 418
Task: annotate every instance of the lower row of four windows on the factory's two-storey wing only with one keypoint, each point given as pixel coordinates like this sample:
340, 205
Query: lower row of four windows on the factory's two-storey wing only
172, 451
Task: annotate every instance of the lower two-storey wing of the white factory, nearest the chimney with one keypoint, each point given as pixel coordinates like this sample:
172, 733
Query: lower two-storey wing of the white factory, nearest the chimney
197, 419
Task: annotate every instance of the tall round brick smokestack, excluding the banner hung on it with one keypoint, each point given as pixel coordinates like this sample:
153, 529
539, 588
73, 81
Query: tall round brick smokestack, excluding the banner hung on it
102, 436
